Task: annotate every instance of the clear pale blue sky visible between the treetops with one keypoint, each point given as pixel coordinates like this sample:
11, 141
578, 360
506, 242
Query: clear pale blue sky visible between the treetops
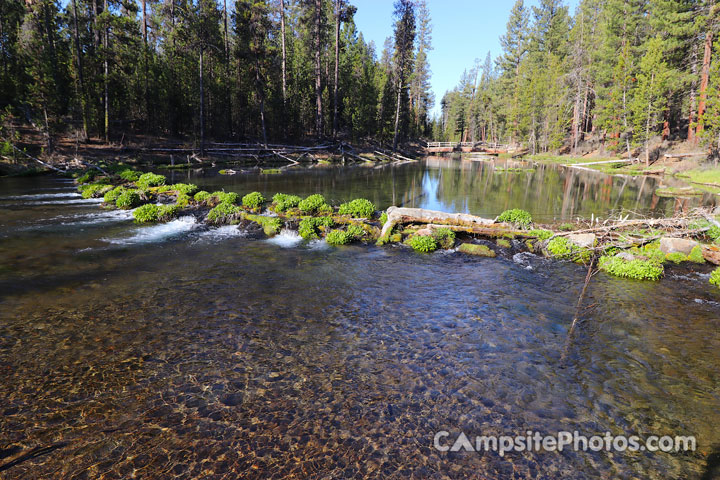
463, 30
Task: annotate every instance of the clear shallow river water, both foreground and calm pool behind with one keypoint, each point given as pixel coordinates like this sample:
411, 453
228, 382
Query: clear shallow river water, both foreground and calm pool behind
177, 351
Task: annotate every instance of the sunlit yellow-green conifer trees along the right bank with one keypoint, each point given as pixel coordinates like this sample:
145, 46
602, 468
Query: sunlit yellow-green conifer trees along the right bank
623, 71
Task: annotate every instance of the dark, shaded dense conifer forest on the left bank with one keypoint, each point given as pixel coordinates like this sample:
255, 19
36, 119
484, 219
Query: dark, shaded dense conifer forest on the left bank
251, 70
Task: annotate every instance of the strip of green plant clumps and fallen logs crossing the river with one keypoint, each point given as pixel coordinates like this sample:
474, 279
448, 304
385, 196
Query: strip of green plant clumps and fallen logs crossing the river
636, 249
